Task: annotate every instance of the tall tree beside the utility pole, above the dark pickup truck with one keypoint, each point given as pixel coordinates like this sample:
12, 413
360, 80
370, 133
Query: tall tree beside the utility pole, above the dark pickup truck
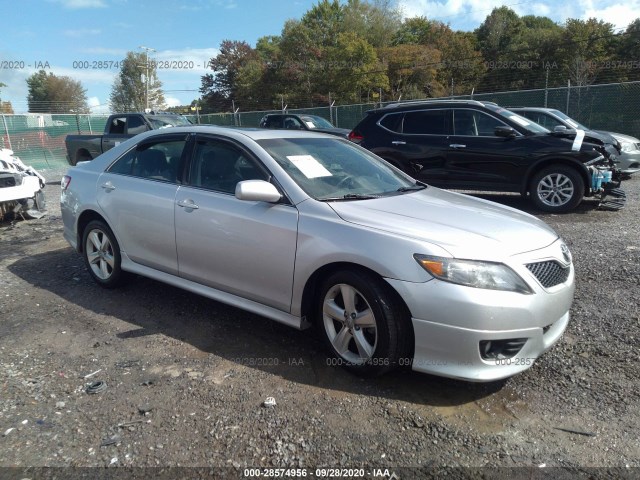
131, 88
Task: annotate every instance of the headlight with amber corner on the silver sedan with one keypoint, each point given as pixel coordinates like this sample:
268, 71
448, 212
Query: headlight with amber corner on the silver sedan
489, 275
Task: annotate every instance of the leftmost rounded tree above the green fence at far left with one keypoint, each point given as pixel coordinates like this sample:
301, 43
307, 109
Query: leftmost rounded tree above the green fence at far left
49, 93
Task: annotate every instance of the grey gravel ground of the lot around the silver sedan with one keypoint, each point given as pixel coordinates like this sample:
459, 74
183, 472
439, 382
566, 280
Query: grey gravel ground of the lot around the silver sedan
186, 379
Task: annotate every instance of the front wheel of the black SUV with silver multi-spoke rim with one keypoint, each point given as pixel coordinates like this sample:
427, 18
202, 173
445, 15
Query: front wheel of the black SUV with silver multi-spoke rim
557, 189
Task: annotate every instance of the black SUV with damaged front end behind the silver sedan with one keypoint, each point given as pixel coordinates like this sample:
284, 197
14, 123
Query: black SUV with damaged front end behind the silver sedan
471, 145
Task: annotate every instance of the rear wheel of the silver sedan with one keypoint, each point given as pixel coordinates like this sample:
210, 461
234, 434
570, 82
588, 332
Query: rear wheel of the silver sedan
102, 255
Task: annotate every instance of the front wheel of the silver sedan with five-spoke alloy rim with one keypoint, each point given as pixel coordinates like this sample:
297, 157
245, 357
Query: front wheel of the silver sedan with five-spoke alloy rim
362, 323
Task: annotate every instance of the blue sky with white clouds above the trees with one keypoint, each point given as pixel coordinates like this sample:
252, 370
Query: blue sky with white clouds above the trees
83, 39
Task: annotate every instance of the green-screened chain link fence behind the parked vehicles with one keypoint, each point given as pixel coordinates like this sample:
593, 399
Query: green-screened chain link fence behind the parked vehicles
38, 139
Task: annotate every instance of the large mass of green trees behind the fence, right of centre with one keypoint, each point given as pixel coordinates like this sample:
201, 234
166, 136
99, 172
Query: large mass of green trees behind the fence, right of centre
353, 50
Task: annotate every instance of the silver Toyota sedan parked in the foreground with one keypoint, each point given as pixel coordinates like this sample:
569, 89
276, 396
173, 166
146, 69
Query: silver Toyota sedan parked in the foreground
306, 229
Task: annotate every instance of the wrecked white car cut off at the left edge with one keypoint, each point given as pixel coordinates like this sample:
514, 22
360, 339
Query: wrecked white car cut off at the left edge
21, 188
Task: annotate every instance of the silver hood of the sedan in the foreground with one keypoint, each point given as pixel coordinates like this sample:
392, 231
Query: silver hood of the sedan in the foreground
465, 226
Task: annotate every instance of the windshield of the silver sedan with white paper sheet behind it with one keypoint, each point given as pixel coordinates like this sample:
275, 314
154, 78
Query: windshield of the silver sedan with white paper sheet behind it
332, 169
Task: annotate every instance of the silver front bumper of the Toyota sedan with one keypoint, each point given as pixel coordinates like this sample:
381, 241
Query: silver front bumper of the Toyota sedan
459, 331
